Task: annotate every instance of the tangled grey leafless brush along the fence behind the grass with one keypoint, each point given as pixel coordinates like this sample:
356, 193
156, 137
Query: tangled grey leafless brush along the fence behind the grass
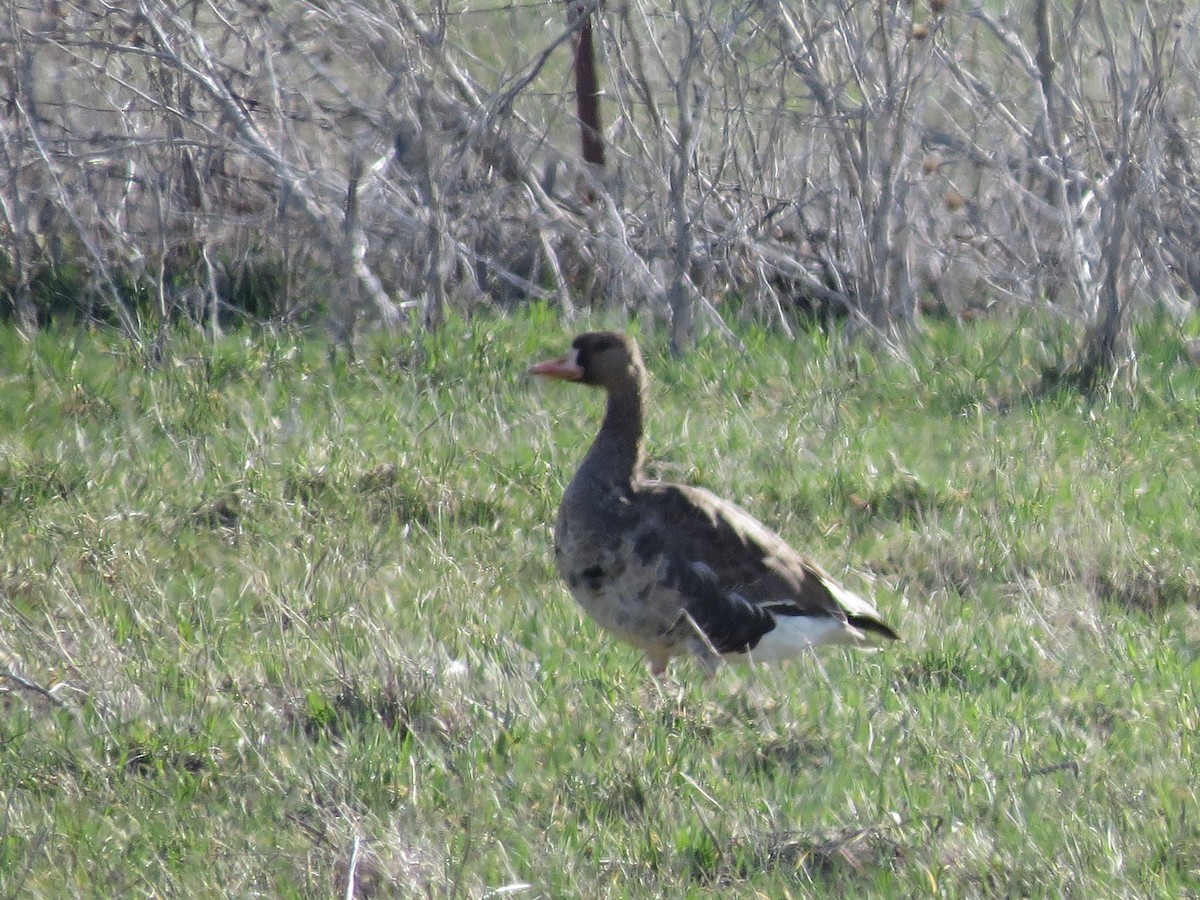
382, 161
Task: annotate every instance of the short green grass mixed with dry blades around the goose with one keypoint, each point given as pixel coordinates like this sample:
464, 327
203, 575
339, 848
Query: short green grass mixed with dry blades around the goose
295, 611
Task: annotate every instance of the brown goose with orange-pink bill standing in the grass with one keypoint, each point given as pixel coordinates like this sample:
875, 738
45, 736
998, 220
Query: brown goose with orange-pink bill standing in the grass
675, 569
